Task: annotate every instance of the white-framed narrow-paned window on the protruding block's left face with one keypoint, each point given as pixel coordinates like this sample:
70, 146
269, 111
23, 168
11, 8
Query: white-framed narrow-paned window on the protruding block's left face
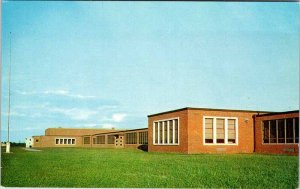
166, 132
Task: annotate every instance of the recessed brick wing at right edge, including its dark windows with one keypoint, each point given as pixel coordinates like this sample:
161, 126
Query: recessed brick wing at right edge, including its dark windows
277, 133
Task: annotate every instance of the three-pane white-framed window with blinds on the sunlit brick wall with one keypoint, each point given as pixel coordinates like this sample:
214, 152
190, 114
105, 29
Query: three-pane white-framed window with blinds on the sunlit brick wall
220, 130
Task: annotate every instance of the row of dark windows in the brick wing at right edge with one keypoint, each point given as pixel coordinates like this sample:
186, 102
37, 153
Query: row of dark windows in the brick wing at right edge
281, 131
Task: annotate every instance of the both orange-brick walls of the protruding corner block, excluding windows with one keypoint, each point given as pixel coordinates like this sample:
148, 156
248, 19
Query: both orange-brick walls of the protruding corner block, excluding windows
191, 132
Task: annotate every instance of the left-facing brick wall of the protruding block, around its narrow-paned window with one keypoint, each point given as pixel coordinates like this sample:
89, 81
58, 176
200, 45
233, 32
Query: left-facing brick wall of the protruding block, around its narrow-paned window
183, 135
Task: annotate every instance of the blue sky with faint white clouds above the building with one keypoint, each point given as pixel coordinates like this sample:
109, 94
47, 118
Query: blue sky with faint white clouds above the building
110, 64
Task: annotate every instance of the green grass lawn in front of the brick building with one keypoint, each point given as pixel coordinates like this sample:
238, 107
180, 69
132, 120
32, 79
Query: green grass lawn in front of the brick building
85, 167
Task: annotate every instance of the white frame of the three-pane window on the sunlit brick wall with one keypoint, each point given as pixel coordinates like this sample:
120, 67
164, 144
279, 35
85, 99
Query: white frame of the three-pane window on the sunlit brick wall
226, 131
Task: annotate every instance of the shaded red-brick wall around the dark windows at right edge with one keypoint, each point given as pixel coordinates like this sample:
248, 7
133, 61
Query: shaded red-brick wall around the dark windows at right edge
273, 148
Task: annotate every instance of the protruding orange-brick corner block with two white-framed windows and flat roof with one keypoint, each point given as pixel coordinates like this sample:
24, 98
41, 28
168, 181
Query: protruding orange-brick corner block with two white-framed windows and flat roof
202, 130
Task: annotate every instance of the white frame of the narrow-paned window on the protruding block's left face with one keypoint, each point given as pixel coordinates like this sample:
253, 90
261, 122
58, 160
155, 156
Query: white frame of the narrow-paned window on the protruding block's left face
163, 136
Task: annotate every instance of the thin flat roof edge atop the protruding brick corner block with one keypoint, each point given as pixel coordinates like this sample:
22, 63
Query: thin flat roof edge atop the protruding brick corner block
208, 109
